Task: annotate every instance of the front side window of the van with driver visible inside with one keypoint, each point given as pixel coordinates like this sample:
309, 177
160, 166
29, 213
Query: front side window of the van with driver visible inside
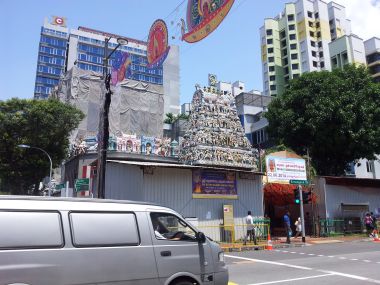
170, 227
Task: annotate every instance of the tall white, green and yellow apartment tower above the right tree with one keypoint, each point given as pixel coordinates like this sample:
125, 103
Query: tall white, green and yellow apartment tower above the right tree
297, 41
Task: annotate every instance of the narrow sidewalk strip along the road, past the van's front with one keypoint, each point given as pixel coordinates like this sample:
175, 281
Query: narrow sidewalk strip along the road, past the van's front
280, 242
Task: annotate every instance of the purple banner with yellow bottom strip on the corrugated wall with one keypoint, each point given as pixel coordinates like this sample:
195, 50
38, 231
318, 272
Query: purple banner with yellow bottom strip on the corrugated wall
214, 184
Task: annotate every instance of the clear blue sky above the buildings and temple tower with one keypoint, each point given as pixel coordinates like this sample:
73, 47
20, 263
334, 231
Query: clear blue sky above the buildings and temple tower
232, 51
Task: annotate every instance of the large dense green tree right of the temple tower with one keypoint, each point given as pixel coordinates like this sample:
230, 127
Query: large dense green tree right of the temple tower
335, 115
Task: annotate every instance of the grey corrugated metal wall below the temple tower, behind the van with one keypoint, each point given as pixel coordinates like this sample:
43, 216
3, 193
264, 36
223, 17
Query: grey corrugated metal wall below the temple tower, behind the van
172, 187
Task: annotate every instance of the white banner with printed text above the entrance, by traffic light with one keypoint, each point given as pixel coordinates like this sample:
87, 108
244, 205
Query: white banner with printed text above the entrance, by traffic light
281, 169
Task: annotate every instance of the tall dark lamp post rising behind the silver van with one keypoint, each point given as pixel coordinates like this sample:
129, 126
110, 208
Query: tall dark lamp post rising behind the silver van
104, 119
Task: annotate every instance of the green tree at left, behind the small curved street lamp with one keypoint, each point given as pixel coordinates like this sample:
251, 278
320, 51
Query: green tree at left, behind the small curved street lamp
41, 123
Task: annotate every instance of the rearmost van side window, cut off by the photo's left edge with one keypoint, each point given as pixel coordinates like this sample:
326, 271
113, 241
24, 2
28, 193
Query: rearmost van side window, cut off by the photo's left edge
30, 229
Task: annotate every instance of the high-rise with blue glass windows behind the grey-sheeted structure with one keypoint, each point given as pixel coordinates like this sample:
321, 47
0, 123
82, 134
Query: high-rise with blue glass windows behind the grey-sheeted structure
61, 49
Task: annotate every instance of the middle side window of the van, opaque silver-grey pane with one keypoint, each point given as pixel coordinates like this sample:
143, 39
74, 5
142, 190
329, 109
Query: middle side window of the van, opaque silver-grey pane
103, 229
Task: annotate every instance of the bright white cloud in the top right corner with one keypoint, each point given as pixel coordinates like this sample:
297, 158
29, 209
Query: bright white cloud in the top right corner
364, 16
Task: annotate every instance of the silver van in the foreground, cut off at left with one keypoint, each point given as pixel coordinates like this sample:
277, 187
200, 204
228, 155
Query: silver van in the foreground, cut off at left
51, 241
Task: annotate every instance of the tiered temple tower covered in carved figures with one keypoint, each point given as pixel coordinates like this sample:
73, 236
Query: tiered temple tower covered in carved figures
215, 135
